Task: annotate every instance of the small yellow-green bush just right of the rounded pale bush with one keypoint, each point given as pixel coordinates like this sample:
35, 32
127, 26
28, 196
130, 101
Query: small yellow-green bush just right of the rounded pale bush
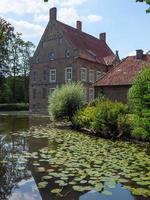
83, 118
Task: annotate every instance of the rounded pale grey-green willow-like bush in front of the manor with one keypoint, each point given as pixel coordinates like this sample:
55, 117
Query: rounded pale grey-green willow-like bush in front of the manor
65, 101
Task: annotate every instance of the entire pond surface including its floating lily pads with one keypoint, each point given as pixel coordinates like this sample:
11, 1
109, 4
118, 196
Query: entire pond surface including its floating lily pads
59, 154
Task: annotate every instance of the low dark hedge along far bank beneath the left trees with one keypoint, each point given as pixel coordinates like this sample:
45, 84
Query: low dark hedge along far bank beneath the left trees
14, 107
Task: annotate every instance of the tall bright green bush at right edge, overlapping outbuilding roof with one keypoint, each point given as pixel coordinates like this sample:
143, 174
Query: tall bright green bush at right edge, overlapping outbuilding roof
139, 103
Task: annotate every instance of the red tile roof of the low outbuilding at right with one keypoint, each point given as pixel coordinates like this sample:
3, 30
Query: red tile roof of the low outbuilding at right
125, 72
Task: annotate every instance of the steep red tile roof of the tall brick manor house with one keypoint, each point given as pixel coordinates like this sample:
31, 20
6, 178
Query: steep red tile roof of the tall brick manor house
90, 48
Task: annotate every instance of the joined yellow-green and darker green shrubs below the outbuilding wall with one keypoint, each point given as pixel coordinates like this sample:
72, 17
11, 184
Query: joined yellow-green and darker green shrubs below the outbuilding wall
105, 118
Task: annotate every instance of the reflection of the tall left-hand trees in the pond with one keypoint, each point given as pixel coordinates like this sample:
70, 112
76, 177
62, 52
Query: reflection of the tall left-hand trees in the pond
12, 169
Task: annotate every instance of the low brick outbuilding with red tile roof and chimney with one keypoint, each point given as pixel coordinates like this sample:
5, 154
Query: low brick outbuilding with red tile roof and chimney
116, 83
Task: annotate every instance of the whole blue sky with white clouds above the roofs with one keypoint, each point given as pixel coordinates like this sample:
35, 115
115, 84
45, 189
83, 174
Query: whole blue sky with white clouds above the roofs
125, 22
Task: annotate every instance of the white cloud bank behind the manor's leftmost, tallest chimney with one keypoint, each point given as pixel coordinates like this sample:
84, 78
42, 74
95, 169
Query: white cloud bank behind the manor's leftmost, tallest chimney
28, 16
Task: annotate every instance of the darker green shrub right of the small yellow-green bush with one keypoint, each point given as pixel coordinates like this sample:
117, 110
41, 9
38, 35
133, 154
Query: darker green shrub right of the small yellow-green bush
106, 117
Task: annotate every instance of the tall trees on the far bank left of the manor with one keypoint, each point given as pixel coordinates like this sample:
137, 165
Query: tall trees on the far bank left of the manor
14, 65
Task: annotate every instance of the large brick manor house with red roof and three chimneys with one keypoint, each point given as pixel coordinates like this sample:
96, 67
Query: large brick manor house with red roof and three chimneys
67, 54
